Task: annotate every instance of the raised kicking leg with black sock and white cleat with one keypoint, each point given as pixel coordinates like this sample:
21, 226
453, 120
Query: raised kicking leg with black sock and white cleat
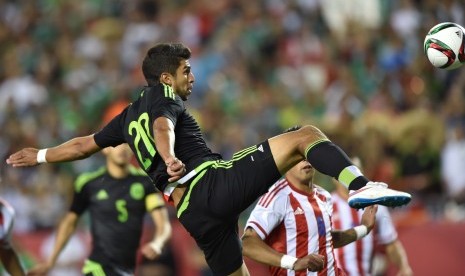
310, 143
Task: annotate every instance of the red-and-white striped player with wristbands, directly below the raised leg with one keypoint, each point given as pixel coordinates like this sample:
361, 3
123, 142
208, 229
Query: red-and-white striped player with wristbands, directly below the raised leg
290, 227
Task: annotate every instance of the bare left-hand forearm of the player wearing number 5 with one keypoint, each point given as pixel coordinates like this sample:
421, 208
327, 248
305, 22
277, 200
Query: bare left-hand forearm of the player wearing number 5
65, 229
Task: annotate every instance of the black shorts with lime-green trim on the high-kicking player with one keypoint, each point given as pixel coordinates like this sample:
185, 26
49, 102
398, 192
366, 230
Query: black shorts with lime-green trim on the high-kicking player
216, 197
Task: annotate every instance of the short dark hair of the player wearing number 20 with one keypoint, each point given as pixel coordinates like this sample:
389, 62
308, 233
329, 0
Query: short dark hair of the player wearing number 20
163, 57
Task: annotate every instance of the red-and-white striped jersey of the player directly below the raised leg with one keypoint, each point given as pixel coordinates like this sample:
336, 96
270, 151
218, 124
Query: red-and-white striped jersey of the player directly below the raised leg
296, 223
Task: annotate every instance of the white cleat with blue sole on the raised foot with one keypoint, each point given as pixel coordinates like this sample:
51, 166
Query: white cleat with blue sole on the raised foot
377, 193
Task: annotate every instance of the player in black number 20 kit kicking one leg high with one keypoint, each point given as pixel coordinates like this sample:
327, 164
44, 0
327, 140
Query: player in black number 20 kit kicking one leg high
209, 193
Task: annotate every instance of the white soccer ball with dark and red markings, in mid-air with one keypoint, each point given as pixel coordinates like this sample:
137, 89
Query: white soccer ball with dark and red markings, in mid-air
444, 45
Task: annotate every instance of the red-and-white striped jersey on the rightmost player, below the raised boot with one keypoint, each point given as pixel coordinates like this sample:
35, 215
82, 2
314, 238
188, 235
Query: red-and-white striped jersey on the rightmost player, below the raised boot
356, 258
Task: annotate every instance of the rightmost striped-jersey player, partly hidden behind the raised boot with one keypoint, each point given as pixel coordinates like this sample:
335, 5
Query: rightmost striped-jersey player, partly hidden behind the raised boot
356, 258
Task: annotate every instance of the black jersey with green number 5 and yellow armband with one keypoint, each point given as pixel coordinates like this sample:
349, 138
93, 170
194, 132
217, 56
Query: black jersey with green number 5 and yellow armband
117, 208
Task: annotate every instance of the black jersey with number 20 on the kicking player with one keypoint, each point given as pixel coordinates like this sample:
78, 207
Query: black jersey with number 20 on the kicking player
134, 126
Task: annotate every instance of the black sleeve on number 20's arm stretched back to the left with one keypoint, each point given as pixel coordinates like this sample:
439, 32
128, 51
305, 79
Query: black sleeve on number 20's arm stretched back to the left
112, 134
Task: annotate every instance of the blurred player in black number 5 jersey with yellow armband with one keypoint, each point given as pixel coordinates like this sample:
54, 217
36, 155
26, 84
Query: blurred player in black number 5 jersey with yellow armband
117, 197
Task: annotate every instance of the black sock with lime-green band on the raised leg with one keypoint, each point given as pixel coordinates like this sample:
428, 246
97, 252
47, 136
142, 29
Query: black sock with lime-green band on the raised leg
331, 160
